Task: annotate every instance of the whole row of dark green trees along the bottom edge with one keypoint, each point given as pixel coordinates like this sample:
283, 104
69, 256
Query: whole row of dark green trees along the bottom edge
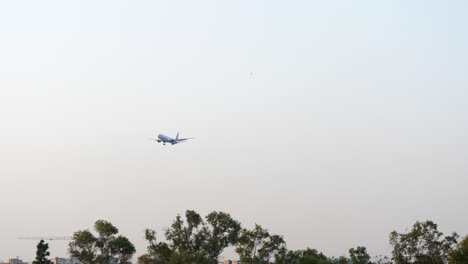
193, 239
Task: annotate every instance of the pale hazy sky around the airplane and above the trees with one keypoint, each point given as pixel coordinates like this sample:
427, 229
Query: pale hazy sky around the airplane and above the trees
354, 122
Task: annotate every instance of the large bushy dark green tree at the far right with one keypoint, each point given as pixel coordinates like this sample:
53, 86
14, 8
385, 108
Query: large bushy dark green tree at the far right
423, 244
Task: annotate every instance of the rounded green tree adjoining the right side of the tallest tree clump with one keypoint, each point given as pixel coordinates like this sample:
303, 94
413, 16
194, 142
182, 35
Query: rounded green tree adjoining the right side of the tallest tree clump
257, 246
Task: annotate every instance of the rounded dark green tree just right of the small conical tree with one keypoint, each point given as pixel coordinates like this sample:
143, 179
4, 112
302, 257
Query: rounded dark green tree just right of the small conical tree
105, 248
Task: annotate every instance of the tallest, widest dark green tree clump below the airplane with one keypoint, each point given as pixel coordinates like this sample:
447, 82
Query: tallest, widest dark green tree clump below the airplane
193, 240
